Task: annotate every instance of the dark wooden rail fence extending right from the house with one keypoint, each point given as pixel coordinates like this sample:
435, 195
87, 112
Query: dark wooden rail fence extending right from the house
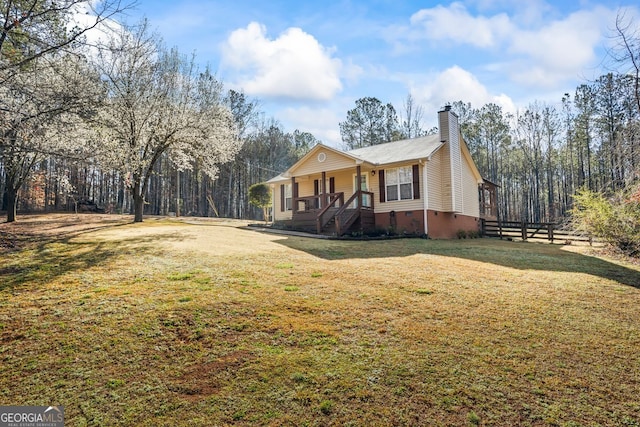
530, 230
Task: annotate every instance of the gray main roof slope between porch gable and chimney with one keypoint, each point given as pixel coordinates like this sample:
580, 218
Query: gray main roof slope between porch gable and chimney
399, 151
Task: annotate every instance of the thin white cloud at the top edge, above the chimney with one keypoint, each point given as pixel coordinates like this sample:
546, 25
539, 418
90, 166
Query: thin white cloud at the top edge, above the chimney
455, 23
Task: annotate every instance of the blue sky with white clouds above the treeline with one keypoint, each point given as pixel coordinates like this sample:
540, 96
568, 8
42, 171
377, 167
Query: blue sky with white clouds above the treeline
307, 62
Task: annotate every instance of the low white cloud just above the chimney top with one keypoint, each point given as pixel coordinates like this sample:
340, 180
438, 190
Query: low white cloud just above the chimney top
456, 84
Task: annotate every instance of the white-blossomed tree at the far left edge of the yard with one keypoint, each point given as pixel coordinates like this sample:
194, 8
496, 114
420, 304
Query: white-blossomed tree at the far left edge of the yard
40, 111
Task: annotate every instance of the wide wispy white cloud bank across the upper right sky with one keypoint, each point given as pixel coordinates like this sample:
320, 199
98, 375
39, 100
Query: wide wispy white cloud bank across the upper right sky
535, 49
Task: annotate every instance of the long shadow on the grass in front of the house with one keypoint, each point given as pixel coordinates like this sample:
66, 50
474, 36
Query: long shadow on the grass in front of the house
519, 255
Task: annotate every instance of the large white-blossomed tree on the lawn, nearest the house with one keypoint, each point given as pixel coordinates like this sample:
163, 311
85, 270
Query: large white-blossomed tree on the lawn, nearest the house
159, 102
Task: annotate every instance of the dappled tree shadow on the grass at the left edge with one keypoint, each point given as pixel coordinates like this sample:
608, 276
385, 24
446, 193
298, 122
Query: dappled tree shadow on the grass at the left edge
47, 261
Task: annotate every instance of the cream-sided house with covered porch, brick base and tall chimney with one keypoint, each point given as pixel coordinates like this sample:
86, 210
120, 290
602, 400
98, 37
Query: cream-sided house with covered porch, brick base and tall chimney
422, 186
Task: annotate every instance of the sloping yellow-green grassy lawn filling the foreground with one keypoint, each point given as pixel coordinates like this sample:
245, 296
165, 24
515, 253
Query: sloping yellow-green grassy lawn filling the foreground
206, 323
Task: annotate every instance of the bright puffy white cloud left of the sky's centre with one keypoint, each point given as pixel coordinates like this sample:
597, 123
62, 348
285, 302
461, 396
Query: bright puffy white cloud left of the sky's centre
294, 65
